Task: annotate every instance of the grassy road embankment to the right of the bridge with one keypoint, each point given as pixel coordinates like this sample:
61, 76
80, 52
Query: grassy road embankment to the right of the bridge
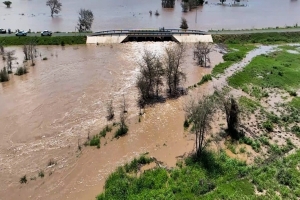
262, 38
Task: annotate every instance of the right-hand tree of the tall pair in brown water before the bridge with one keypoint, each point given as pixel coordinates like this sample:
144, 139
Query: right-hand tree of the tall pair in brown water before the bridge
173, 68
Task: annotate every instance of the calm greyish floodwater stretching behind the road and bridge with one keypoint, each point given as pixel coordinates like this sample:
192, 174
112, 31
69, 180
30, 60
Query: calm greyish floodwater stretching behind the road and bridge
133, 14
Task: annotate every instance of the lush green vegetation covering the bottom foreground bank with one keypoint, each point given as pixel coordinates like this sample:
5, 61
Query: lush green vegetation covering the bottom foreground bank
214, 176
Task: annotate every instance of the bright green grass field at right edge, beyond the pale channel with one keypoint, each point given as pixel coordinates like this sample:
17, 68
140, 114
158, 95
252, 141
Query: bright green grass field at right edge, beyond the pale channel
277, 70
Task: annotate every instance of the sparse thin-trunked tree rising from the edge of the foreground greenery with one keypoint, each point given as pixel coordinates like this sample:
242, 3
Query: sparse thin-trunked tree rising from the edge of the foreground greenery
200, 113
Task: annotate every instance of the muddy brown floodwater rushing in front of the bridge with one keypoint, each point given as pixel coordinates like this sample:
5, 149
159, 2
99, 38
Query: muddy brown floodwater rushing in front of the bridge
45, 113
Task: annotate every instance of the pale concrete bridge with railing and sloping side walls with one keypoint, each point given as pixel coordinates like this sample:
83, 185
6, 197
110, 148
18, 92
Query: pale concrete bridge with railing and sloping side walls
121, 36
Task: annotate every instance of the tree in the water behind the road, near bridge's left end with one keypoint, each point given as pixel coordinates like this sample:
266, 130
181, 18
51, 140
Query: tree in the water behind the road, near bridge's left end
85, 20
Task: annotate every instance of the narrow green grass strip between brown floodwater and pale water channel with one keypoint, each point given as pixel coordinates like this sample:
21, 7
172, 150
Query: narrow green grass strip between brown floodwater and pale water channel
236, 53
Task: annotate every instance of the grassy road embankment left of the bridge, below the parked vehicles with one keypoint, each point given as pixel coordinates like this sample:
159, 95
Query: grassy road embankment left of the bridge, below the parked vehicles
58, 40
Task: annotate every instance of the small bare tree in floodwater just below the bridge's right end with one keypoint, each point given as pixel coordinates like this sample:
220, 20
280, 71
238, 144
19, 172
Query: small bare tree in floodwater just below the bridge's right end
201, 52
